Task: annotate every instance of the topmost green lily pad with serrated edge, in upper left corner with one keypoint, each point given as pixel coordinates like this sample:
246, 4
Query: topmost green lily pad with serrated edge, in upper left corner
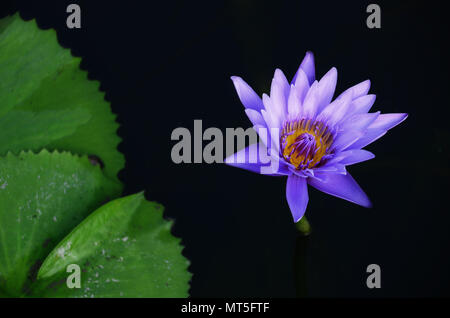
39, 77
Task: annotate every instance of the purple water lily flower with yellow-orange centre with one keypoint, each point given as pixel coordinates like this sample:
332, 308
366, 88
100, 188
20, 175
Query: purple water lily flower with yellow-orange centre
312, 137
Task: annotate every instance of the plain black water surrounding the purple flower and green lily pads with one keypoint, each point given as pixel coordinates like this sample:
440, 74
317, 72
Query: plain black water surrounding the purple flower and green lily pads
163, 64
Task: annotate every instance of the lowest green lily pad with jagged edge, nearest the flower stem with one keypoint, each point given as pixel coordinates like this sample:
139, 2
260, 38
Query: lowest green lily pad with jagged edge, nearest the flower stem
124, 248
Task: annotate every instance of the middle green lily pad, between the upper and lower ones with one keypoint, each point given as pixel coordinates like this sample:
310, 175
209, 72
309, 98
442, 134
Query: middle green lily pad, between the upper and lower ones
42, 198
